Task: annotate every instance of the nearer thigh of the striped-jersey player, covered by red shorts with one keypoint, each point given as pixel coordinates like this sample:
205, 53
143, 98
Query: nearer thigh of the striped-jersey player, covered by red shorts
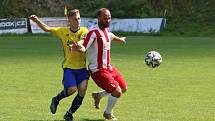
104, 79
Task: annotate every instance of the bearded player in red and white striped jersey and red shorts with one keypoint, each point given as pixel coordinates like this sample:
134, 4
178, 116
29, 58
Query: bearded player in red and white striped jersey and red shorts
97, 45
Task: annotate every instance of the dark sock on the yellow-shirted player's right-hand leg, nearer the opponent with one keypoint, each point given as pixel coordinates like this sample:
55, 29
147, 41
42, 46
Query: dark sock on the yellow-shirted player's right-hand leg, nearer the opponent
76, 103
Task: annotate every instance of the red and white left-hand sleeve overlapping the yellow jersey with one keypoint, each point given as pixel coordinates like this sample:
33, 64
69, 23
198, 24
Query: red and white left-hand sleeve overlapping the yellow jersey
89, 39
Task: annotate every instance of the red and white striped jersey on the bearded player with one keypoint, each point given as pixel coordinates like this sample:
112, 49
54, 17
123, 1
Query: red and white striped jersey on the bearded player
97, 44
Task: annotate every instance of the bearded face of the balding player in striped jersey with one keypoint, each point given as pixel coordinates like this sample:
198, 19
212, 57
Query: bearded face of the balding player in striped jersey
104, 19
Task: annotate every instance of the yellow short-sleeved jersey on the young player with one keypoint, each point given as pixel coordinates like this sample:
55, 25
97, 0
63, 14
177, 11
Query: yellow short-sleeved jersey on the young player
75, 59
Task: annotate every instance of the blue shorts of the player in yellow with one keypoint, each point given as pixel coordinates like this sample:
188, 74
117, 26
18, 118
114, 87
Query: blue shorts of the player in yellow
73, 77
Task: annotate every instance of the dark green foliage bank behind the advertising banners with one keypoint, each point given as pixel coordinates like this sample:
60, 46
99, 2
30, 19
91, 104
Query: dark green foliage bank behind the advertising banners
184, 17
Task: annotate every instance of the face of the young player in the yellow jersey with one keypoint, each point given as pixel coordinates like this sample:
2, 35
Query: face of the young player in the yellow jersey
75, 21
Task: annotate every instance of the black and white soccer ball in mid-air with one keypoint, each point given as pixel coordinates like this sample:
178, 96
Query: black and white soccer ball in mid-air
153, 59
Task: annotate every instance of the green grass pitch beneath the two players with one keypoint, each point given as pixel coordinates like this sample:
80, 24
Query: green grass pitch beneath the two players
181, 89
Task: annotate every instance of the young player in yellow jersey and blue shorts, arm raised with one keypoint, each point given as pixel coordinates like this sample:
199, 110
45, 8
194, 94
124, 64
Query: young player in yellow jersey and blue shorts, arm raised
75, 76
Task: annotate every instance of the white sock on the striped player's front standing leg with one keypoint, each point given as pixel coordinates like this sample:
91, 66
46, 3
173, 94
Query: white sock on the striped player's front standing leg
110, 104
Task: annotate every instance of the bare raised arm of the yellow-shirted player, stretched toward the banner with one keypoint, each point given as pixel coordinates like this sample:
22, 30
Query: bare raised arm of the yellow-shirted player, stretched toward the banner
42, 25
